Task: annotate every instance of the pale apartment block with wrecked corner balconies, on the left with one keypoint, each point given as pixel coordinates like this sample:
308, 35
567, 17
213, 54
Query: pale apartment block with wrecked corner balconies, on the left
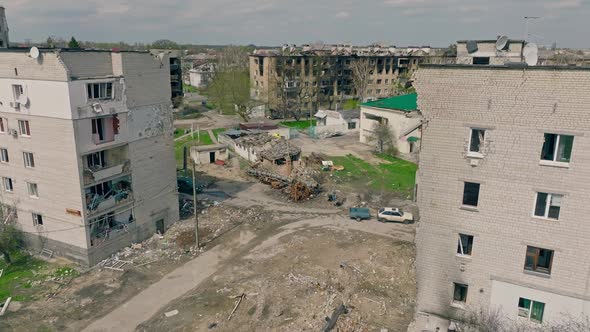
86, 149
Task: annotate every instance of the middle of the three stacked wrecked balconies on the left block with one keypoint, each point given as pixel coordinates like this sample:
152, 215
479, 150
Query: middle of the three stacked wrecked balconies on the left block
108, 195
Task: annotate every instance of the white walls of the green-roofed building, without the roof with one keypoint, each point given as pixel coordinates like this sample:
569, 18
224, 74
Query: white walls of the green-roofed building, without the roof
397, 120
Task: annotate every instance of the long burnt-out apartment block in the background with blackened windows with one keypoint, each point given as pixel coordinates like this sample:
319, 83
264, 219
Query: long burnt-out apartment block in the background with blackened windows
323, 74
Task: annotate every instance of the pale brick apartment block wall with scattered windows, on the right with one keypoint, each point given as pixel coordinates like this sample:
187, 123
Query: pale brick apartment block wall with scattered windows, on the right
503, 193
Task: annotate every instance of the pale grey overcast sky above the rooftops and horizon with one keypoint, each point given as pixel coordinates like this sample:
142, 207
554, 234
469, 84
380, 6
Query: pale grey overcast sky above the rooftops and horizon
274, 22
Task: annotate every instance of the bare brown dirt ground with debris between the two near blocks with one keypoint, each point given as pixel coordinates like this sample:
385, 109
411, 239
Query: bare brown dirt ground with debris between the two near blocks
296, 262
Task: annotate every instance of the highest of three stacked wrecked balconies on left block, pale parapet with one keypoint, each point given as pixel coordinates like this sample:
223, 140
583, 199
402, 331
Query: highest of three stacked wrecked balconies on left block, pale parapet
105, 164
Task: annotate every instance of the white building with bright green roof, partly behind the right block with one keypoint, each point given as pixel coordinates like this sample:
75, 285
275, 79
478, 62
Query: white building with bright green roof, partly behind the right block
401, 114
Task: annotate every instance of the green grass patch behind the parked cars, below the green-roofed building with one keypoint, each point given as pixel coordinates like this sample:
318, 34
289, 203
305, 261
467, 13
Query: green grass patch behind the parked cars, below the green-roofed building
393, 175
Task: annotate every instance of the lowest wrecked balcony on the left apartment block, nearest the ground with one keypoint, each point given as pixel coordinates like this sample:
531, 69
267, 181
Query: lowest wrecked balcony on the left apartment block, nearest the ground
110, 226
